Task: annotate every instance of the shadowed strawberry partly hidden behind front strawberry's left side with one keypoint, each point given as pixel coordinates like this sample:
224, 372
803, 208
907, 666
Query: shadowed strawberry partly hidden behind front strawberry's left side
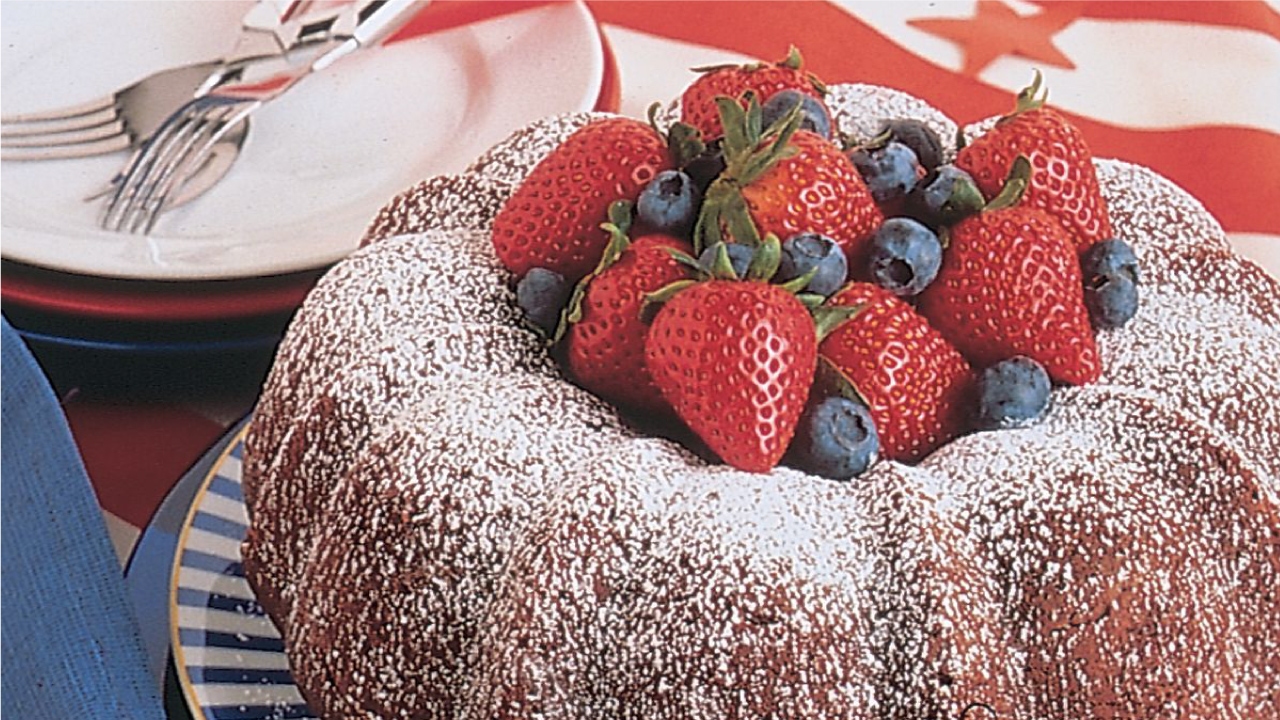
606, 335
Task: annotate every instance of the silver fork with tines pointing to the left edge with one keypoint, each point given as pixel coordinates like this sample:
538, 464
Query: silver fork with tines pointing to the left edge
126, 119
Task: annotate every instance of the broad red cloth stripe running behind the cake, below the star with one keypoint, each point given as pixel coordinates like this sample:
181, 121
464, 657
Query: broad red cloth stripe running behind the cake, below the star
1227, 168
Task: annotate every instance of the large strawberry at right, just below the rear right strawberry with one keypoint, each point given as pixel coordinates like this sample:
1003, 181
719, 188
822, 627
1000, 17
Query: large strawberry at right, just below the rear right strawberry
1011, 285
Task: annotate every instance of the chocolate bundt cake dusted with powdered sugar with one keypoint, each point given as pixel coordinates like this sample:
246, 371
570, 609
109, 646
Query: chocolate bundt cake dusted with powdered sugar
445, 527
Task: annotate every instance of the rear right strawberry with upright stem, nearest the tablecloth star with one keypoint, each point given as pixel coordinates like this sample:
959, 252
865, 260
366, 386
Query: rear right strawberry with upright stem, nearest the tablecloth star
1064, 183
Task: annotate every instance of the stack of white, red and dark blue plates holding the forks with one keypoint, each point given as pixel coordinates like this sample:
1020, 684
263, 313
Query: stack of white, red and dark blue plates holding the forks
218, 279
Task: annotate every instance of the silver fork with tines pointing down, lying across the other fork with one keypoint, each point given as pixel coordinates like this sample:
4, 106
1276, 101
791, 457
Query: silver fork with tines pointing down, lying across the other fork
182, 145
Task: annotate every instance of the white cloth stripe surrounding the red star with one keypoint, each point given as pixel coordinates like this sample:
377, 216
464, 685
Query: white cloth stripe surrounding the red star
1217, 75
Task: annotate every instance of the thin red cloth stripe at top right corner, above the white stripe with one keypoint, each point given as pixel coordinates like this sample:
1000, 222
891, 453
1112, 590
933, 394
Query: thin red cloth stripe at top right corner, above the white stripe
1240, 15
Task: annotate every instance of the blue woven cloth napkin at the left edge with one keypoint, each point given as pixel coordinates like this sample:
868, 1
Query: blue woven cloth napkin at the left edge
70, 642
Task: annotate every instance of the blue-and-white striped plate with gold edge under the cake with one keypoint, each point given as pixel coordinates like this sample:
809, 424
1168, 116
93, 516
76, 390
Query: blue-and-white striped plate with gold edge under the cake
230, 657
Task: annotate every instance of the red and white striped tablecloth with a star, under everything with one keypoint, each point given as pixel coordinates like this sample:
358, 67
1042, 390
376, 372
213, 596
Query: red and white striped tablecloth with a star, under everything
1188, 89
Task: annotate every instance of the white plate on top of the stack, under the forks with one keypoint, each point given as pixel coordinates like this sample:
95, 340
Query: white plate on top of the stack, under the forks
318, 163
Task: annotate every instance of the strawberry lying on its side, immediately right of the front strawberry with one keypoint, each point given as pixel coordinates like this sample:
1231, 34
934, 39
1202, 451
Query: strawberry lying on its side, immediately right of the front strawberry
916, 384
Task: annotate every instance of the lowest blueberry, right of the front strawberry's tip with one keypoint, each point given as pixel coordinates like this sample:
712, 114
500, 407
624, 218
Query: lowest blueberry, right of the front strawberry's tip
836, 440
